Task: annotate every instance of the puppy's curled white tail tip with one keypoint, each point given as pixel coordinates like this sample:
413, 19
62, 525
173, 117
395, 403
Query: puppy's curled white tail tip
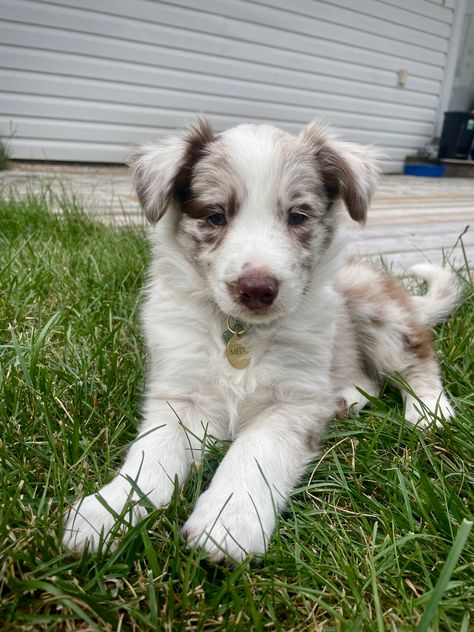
444, 292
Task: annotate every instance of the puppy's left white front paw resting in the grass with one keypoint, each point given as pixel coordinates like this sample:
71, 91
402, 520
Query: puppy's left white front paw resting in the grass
92, 520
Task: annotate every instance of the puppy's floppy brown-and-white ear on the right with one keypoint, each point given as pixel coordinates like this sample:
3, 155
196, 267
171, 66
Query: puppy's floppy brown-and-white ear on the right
348, 171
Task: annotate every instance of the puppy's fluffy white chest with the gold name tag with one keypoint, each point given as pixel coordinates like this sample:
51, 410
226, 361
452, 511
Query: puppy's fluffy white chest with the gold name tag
193, 352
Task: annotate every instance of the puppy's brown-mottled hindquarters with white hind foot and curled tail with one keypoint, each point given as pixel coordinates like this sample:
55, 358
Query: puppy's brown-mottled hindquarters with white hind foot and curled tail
393, 336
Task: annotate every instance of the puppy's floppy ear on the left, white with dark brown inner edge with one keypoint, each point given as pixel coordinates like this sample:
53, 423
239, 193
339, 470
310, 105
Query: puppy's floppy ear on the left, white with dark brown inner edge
163, 170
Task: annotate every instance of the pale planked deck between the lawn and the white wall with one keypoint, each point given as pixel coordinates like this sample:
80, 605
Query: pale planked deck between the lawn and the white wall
411, 219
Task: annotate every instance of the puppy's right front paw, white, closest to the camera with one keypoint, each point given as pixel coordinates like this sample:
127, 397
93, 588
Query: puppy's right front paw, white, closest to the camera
229, 525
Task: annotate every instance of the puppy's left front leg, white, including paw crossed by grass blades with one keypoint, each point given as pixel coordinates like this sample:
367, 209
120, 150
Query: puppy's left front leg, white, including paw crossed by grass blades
161, 453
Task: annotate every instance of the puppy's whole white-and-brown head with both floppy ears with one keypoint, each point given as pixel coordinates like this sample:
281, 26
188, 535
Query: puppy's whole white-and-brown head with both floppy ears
254, 207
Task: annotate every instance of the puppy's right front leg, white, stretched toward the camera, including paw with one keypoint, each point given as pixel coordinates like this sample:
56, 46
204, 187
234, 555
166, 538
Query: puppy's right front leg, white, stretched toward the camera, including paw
236, 516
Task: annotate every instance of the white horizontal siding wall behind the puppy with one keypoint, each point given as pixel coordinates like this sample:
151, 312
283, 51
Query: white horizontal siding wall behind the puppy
83, 79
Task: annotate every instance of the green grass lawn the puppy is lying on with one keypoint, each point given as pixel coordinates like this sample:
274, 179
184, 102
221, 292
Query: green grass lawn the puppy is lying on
374, 538
